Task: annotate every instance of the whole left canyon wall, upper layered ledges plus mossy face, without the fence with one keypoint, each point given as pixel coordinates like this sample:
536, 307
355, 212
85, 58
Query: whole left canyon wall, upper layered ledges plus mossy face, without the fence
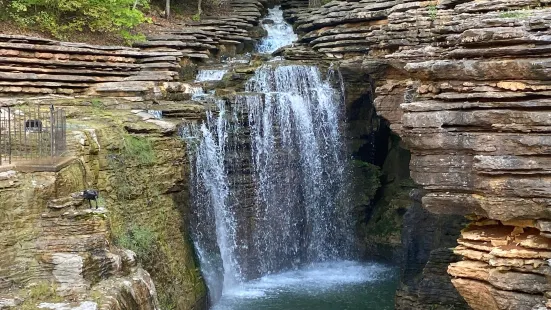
134, 250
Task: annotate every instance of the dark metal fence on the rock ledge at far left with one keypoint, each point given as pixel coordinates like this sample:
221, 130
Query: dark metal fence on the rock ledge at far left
31, 133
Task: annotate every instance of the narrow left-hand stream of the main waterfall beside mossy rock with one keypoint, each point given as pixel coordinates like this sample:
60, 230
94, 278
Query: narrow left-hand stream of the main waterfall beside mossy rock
214, 231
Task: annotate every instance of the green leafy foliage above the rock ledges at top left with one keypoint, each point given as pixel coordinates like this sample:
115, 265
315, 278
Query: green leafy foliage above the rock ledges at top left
62, 17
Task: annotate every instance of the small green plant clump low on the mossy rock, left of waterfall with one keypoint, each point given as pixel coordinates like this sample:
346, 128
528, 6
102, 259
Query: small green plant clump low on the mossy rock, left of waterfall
141, 240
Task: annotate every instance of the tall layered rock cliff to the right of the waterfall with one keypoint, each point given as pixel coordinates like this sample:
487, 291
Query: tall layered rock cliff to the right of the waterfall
464, 83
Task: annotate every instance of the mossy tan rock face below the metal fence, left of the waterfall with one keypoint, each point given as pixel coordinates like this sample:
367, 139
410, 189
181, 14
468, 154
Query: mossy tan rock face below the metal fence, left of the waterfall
57, 251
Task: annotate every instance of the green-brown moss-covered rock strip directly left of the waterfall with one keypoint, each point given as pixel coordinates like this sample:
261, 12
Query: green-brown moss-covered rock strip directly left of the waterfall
136, 179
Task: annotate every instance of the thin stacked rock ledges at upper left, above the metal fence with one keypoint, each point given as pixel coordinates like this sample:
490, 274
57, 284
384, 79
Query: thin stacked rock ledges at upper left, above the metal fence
32, 66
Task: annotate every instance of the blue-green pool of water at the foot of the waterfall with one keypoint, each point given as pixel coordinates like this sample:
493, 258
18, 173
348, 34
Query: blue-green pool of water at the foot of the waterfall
337, 285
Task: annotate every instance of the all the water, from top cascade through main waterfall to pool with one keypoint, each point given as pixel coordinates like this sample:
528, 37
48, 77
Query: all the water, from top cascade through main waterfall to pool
270, 219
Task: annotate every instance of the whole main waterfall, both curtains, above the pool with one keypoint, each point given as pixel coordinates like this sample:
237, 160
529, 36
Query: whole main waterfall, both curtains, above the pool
269, 178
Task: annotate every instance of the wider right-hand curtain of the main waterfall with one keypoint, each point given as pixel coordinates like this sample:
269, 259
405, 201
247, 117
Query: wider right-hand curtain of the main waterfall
299, 166
